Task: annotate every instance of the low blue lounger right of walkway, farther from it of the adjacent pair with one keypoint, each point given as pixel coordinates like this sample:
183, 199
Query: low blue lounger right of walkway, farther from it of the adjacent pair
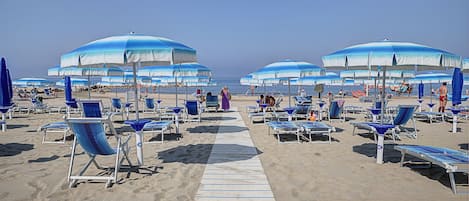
315, 128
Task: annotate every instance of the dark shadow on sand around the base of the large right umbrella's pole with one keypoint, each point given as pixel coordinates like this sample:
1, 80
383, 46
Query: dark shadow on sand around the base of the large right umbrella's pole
369, 149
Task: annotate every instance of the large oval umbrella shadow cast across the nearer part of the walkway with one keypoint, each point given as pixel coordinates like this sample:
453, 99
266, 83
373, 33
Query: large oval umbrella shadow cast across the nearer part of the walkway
200, 153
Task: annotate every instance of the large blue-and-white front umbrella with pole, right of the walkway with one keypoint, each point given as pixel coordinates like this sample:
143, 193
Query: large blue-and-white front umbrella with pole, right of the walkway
397, 56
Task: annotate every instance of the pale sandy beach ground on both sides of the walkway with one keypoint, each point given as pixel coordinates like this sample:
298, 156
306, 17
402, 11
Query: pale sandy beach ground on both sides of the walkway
343, 170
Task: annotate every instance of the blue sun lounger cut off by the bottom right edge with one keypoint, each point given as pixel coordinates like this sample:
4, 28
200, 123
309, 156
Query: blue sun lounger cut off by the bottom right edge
451, 160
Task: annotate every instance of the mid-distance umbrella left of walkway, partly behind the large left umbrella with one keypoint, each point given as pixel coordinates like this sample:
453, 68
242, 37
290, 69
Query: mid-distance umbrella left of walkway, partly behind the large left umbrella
178, 72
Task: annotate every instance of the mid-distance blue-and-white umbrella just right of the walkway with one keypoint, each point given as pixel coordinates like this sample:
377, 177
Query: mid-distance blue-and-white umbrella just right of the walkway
288, 69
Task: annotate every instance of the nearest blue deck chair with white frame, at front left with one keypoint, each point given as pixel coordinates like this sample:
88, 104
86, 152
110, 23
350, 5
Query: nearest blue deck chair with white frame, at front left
91, 135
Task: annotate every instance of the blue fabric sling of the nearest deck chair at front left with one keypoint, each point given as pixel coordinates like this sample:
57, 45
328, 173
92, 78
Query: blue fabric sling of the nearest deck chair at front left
90, 134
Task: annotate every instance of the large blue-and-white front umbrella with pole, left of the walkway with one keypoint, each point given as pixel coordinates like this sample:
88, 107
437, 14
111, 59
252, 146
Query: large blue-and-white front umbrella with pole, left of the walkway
130, 50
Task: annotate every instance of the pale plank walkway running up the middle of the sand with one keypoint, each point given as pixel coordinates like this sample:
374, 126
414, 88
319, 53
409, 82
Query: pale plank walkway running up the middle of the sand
234, 171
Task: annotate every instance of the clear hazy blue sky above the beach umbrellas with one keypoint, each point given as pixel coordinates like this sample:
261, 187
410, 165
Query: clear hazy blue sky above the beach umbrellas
233, 38
